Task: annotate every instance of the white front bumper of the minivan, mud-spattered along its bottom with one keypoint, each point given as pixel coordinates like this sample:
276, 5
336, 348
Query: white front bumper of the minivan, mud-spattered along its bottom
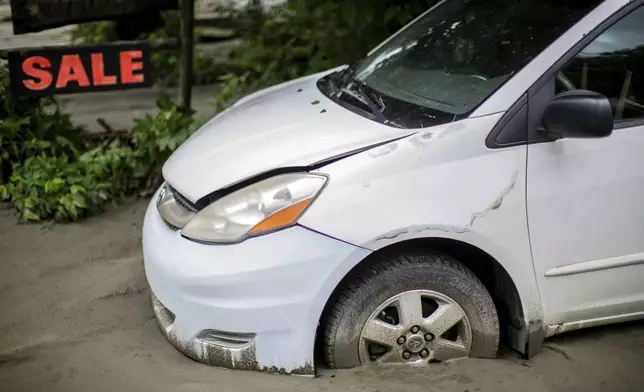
270, 289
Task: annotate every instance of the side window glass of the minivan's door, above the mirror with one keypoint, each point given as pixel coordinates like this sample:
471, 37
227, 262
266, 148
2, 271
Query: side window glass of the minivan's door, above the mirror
613, 65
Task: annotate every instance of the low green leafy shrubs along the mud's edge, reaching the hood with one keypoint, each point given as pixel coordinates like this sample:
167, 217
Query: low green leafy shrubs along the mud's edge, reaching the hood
69, 187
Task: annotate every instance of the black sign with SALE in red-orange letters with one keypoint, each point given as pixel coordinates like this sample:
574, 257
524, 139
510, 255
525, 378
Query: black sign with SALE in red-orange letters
77, 69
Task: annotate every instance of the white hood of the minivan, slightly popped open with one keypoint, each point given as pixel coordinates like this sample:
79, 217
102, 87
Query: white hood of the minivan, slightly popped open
289, 125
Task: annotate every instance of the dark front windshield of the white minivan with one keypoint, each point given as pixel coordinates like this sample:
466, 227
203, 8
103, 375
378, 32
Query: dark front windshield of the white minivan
453, 57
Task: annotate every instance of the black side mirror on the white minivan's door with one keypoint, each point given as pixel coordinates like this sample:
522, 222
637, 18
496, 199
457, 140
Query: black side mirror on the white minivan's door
578, 114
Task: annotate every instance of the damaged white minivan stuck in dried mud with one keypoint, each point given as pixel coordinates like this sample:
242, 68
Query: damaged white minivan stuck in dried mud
479, 174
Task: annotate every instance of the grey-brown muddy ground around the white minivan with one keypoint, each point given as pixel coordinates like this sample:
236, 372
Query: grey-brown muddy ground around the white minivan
75, 316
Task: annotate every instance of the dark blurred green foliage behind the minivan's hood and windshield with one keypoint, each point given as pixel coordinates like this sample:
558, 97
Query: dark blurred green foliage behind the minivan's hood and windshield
308, 36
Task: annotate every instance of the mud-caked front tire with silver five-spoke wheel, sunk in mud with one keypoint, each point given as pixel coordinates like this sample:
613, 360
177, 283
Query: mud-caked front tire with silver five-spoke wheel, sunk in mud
374, 313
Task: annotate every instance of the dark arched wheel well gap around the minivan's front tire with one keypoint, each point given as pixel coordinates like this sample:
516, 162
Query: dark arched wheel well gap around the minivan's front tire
494, 277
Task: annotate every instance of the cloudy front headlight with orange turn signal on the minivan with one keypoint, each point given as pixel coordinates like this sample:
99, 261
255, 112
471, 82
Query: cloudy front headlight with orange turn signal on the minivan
263, 207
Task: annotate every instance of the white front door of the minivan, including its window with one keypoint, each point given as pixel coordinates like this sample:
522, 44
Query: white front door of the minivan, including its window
585, 197
